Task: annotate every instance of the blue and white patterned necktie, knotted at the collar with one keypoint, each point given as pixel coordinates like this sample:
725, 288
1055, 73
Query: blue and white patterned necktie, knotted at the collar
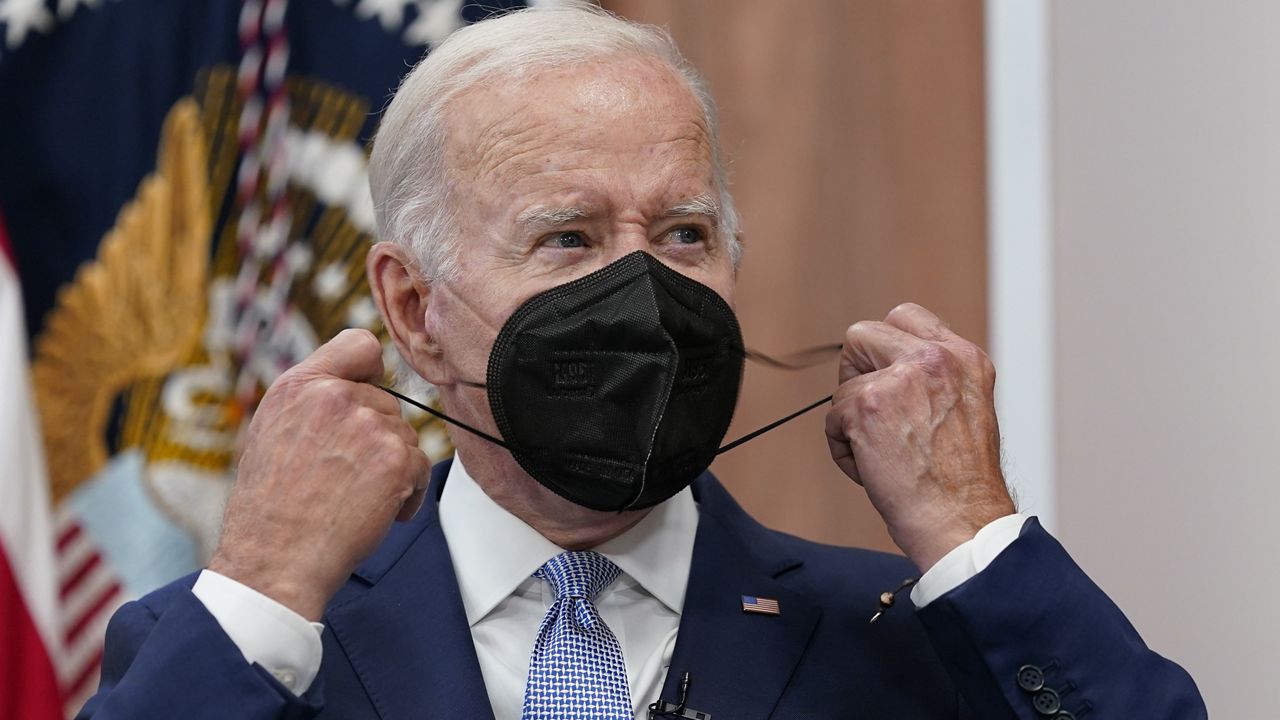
577, 671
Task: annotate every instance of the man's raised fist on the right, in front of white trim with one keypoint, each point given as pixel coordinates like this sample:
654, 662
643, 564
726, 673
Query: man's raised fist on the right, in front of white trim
915, 422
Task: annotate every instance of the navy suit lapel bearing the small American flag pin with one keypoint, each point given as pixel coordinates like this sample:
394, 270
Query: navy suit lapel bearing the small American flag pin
739, 663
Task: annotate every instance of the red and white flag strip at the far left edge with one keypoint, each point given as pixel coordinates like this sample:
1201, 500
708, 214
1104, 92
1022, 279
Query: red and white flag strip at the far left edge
30, 623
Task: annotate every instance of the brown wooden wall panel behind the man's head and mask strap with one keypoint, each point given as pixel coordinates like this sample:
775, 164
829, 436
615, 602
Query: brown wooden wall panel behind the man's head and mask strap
856, 130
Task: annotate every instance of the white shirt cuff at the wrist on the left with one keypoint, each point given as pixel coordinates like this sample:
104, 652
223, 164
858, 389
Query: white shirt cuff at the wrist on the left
268, 634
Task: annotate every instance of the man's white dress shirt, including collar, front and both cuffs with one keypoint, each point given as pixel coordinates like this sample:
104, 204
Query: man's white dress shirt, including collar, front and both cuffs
495, 555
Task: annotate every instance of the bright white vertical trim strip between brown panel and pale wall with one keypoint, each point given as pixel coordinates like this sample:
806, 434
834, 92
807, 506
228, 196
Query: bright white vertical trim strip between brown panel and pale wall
1021, 247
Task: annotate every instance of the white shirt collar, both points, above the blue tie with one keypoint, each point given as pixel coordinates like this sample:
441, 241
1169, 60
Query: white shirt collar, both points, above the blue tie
493, 552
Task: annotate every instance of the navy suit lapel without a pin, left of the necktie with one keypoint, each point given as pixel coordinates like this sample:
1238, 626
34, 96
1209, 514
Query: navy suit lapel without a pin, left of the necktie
403, 626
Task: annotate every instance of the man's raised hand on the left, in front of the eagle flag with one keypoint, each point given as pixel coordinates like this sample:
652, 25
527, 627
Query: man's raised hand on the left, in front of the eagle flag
328, 466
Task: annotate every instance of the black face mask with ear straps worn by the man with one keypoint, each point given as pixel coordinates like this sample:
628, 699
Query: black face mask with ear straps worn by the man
616, 390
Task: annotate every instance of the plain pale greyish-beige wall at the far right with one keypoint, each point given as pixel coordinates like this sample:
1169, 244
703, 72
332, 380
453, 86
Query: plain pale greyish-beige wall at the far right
1167, 197
